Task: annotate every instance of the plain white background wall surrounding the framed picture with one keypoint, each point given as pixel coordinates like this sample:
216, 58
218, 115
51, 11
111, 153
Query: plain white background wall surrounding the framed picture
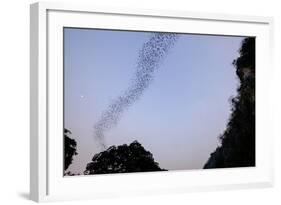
14, 101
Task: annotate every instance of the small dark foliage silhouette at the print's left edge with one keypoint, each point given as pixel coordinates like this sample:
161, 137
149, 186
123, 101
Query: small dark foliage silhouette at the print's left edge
69, 149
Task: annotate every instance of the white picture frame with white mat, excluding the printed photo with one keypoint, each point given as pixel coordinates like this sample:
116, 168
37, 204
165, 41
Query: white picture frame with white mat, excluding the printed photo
46, 179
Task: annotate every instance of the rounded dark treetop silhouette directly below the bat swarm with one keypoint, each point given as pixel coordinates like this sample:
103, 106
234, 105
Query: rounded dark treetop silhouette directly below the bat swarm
123, 159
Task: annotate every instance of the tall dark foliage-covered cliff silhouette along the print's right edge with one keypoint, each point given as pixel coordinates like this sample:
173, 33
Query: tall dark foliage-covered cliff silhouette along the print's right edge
238, 140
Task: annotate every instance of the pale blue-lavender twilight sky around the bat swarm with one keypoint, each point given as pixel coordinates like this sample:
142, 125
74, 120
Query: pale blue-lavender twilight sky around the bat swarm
178, 118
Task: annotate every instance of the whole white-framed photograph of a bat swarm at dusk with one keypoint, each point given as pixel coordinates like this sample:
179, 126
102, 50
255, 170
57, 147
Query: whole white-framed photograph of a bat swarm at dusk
127, 102
